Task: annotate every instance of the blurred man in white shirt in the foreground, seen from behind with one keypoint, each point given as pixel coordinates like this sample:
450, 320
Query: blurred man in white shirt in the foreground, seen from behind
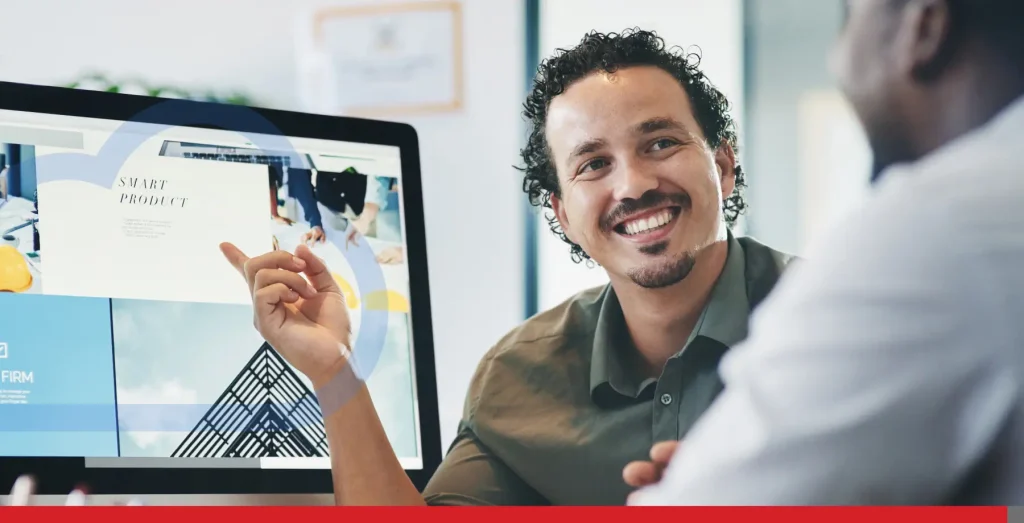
888, 369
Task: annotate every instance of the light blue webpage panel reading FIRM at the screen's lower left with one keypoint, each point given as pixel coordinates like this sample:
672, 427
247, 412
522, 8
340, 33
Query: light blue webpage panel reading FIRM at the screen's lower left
57, 377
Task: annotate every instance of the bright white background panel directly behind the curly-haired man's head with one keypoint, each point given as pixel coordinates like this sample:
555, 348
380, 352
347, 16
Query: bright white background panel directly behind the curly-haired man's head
716, 27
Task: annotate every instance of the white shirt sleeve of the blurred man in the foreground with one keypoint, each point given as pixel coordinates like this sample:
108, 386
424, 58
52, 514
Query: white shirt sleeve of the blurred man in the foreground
874, 374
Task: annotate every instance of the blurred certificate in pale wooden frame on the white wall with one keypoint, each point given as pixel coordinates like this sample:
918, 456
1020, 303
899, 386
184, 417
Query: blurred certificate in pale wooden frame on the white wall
383, 60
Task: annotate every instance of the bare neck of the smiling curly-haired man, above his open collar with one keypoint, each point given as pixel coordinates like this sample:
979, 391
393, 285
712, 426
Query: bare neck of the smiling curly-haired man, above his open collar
660, 321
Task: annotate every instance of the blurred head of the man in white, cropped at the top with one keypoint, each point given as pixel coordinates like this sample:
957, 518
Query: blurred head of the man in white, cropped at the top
921, 73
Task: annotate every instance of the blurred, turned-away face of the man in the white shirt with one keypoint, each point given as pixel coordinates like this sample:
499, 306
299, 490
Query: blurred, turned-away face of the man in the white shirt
866, 64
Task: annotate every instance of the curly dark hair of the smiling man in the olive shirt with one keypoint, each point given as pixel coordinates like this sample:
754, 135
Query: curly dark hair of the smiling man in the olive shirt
610, 53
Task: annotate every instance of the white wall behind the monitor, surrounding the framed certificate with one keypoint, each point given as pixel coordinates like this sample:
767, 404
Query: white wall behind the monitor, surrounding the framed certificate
473, 194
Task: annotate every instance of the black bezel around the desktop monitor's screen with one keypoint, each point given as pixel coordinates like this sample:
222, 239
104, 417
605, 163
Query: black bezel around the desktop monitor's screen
61, 475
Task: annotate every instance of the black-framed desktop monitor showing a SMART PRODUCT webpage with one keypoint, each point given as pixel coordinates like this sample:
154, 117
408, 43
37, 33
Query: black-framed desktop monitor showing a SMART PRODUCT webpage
129, 358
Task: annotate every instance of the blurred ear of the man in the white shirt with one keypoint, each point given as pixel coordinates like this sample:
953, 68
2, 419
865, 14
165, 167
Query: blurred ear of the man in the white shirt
924, 39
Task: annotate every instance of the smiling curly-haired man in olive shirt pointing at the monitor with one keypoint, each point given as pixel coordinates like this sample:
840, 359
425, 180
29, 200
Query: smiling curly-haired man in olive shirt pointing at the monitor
634, 152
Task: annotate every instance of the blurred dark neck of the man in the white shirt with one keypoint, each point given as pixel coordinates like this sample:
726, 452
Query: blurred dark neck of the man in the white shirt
982, 90
